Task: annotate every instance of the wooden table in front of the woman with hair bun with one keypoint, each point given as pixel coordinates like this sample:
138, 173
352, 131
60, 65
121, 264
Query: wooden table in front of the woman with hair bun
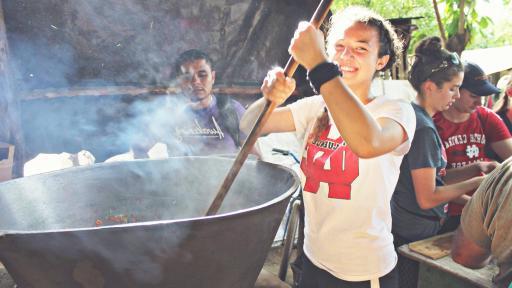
444, 272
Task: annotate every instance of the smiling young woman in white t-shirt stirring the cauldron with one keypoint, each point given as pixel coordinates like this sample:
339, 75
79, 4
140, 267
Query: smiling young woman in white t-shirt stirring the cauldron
353, 146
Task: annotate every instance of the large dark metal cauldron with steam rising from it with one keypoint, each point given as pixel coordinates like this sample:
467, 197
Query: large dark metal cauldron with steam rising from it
49, 238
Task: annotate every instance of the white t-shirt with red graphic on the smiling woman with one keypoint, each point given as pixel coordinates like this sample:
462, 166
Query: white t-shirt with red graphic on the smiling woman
347, 199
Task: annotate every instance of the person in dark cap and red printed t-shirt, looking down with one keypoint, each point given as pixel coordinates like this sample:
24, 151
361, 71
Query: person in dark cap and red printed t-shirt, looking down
471, 133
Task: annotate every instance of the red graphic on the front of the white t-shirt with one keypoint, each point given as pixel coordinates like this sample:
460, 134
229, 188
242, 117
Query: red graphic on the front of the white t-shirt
344, 166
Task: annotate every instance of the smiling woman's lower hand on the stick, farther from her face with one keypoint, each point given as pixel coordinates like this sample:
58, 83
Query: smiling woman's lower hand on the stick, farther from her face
277, 87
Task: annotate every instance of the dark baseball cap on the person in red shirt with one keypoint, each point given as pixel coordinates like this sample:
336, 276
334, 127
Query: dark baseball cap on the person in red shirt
476, 81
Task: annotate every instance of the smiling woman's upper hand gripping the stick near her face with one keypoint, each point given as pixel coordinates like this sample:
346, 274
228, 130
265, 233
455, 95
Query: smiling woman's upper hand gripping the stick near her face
307, 46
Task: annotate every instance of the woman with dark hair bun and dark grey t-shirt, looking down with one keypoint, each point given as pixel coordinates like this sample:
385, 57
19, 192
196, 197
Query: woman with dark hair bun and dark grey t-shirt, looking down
418, 201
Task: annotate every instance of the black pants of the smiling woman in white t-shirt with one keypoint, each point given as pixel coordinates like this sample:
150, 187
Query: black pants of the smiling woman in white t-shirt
314, 277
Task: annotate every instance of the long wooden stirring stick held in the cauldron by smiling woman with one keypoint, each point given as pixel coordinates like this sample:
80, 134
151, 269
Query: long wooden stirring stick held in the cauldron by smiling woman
317, 19
